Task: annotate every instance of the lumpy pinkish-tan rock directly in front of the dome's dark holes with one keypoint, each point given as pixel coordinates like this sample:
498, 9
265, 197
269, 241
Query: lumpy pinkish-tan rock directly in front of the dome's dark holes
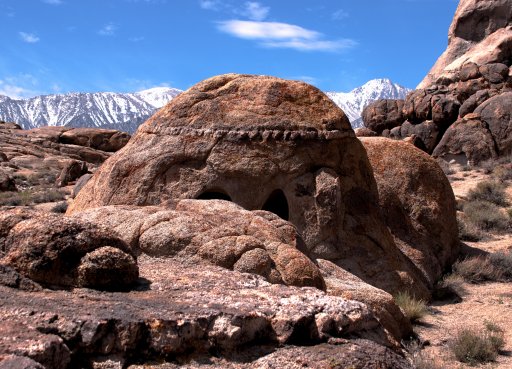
219, 232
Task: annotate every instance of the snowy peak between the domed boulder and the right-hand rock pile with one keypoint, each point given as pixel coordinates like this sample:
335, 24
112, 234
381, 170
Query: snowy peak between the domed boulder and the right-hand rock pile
353, 102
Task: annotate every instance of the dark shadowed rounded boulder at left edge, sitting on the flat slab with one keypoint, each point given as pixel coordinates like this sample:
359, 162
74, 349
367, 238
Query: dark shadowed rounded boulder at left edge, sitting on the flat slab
61, 252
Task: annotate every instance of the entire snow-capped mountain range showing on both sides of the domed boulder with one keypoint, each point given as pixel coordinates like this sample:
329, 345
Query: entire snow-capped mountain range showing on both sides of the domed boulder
127, 111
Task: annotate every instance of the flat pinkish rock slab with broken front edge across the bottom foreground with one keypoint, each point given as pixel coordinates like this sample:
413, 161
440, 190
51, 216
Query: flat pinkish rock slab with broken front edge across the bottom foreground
179, 312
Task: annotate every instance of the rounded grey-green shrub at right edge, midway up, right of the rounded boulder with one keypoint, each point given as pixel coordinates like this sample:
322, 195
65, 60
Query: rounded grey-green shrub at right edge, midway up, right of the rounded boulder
485, 216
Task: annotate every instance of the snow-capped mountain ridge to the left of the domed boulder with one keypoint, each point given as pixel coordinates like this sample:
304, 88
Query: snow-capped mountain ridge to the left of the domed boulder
86, 109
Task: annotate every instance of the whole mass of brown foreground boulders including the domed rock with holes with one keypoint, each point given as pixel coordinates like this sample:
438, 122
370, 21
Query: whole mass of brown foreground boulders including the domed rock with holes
245, 216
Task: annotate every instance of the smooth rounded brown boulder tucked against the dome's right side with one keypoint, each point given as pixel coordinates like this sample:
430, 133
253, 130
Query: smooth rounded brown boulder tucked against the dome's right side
417, 202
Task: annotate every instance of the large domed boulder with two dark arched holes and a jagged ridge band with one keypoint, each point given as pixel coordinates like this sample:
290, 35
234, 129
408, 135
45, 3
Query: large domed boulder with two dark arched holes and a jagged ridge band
265, 144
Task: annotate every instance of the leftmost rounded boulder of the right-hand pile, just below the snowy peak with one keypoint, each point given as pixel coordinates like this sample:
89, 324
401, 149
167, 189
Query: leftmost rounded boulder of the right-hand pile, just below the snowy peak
383, 114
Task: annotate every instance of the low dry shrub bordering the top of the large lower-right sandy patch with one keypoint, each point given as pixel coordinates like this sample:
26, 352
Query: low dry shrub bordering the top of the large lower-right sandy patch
477, 269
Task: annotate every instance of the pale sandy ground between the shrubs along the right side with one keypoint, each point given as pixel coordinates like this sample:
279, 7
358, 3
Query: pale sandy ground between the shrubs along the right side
483, 302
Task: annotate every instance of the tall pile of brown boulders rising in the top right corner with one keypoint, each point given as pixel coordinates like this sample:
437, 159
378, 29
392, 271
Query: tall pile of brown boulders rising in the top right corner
463, 108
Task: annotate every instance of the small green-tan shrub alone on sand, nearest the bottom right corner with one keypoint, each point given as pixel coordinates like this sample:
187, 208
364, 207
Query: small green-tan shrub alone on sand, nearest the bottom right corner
478, 346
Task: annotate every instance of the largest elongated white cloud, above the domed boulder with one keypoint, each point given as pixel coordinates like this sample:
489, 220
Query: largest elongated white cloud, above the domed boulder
283, 35
